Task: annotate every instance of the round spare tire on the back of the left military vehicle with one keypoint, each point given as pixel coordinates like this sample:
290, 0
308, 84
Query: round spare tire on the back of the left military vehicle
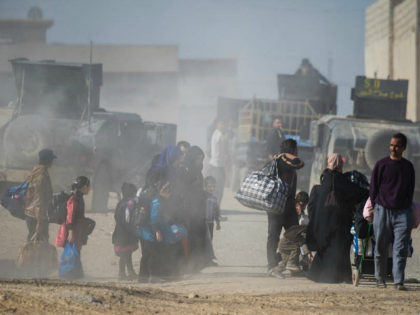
23, 138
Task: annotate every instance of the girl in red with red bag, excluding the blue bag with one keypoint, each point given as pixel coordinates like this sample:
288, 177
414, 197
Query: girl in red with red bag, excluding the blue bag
77, 227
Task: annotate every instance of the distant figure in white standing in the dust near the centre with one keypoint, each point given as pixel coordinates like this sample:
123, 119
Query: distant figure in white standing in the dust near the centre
218, 158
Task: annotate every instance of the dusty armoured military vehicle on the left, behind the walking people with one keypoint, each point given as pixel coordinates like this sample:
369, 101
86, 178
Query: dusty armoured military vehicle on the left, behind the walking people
58, 107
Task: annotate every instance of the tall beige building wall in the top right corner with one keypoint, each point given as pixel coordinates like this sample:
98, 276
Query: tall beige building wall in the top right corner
391, 46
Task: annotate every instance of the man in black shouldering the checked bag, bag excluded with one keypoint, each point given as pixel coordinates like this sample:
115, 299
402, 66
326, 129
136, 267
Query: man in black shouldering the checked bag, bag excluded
287, 164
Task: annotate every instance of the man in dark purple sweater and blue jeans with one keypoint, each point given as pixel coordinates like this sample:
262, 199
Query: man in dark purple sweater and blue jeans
391, 191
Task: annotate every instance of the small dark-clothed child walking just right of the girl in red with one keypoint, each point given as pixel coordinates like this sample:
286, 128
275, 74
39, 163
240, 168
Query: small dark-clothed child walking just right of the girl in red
124, 237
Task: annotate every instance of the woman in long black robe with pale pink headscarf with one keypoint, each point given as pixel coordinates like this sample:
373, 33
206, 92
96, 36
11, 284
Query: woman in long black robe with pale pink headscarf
329, 226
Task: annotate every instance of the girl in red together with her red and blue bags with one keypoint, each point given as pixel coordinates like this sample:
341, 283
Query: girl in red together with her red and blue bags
73, 233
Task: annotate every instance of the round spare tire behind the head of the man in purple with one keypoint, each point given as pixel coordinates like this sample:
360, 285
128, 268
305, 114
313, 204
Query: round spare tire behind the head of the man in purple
377, 147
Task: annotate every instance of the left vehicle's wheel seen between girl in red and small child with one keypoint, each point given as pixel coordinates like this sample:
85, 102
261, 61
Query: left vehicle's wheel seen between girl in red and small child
101, 189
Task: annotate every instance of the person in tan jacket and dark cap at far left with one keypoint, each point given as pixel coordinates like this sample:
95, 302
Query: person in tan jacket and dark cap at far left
38, 196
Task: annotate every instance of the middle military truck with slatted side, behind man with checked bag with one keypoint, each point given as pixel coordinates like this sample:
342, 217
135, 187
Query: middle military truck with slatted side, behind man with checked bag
303, 97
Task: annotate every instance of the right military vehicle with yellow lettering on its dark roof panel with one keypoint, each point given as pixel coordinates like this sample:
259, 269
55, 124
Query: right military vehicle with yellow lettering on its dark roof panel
362, 139
